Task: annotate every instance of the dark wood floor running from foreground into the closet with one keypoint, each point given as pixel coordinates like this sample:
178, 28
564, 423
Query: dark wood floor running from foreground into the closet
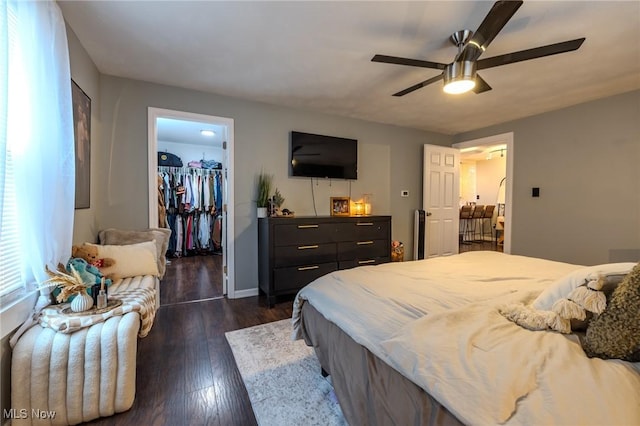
186, 373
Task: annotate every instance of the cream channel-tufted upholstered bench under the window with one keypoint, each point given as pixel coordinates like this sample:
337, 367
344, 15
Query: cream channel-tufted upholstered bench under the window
78, 367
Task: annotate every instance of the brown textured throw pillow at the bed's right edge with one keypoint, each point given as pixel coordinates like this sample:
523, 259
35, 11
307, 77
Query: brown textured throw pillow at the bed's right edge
615, 333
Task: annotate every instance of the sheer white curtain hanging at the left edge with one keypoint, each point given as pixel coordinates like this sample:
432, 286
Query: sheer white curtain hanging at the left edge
40, 137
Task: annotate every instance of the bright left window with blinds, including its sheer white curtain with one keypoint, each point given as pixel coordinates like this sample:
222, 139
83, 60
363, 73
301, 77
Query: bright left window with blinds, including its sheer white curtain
37, 164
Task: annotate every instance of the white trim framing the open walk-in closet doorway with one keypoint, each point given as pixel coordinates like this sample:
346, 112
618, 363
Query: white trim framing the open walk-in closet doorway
228, 231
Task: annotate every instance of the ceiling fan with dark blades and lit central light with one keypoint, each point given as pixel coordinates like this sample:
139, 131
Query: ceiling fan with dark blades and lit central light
460, 75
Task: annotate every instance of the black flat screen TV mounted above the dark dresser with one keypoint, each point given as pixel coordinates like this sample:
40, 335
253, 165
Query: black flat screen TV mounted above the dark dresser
323, 156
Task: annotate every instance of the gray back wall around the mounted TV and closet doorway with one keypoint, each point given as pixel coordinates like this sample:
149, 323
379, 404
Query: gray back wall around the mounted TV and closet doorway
261, 143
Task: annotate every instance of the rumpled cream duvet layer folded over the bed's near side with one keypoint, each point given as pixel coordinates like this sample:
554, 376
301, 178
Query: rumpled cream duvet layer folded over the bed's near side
488, 370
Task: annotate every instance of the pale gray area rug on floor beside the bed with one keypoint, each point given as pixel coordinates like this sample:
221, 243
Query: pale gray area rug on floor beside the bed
283, 377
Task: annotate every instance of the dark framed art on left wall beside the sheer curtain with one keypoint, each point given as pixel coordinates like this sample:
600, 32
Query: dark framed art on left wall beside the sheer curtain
82, 140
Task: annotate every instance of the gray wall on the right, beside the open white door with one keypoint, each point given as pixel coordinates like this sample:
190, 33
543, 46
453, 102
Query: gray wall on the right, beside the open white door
586, 161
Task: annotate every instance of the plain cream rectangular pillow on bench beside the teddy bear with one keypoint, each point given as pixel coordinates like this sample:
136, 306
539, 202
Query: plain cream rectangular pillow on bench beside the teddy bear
129, 260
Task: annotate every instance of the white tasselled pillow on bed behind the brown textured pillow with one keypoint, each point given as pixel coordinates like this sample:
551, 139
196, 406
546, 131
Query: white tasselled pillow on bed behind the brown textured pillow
613, 273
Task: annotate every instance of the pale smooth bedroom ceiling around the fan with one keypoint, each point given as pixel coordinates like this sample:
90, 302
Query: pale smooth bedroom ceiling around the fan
316, 56
